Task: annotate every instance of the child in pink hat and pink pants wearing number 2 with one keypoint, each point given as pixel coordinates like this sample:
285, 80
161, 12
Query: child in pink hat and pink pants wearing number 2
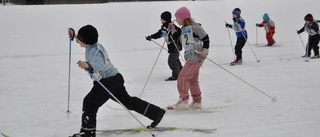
195, 42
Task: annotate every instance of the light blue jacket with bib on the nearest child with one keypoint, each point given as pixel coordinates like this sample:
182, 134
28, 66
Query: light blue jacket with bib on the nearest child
99, 61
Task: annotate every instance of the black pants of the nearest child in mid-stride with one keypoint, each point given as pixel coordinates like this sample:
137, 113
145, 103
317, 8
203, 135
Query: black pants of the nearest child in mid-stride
98, 96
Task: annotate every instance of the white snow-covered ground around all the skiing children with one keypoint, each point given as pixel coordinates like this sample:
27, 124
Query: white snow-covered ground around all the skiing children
34, 69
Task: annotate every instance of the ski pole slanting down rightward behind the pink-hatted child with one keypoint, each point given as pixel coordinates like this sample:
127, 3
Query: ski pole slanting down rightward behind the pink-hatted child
273, 99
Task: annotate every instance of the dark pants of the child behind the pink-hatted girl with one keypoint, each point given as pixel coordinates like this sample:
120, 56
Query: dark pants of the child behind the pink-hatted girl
174, 64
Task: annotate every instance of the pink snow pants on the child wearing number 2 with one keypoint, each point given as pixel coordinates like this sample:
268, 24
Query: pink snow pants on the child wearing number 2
188, 80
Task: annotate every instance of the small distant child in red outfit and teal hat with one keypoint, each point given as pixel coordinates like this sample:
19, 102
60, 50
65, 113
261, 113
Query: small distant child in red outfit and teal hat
269, 26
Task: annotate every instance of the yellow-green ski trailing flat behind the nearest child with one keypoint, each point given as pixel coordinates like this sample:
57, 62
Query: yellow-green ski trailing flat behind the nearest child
157, 129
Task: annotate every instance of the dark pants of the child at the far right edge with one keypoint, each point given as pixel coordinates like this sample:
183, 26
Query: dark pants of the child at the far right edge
313, 42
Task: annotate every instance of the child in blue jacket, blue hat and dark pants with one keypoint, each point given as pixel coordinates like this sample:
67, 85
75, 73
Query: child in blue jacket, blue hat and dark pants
239, 28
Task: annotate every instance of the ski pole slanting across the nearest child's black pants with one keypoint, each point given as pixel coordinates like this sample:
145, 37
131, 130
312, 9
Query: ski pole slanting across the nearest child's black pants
115, 98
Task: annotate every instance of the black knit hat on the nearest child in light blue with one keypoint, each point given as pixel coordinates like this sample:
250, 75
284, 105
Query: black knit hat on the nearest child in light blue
88, 35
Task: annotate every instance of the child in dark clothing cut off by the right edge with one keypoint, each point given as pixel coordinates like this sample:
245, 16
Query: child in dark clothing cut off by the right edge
312, 28
